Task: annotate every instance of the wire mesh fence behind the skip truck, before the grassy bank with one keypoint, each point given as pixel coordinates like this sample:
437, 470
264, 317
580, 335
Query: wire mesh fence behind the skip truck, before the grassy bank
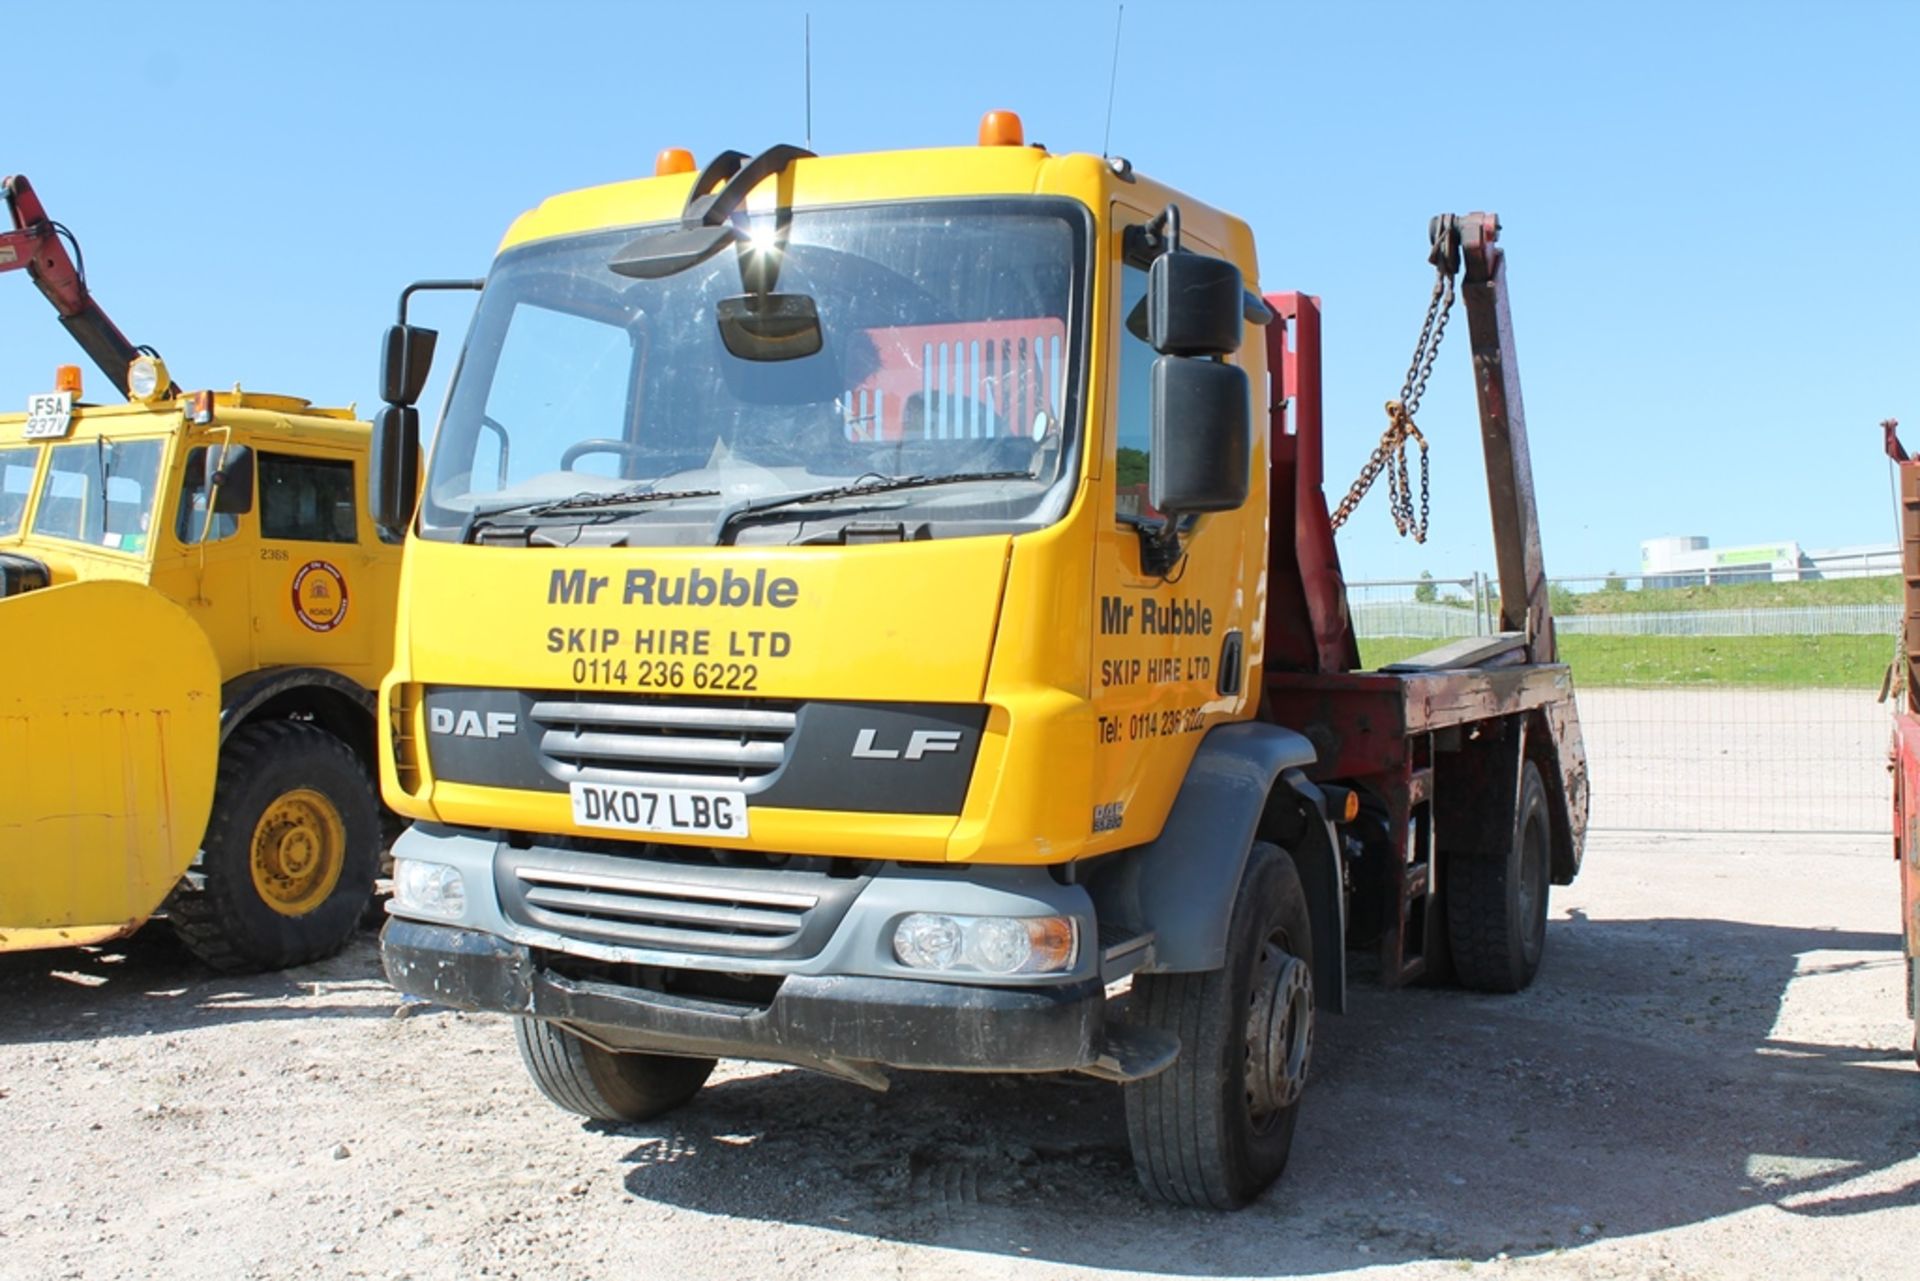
1729, 708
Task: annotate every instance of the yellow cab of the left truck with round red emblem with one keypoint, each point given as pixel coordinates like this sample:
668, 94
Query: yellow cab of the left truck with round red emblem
243, 508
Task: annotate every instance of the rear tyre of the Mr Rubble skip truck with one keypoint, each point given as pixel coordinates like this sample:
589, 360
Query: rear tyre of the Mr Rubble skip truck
1497, 900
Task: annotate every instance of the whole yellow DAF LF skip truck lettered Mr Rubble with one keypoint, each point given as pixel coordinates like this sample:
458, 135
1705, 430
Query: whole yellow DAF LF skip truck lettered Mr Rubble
852, 621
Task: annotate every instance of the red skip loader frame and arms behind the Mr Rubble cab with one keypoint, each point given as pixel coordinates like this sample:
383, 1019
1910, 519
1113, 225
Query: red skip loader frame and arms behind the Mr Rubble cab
1437, 740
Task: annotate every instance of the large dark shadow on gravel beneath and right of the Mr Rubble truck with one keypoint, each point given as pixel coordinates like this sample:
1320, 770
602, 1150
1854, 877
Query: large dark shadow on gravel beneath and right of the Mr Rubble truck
1635, 1088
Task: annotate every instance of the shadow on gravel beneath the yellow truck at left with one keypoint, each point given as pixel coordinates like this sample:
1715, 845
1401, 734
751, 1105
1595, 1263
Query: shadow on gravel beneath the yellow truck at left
149, 984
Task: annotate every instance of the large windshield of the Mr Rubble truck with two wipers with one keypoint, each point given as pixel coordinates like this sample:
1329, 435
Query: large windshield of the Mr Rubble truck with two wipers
948, 354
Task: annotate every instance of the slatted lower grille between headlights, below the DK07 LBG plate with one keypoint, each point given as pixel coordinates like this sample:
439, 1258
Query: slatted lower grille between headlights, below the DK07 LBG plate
675, 907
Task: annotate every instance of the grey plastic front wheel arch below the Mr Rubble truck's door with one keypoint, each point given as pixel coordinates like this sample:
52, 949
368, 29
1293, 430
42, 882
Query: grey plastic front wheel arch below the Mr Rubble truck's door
1247, 783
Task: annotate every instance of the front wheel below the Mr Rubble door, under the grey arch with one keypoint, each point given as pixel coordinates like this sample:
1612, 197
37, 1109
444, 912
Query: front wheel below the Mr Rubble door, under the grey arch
1214, 1128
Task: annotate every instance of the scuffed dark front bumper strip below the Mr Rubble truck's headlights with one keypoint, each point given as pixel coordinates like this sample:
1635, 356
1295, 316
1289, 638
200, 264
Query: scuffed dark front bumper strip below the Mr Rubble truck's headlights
821, 1021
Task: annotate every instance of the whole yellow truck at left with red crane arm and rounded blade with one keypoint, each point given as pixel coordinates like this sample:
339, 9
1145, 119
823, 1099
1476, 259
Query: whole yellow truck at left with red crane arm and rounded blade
195, 614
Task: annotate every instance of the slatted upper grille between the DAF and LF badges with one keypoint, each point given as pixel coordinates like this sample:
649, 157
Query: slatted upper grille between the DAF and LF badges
663, 742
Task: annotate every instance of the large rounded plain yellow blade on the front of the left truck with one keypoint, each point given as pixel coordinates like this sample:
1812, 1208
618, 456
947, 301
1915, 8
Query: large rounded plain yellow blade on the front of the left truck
110, 702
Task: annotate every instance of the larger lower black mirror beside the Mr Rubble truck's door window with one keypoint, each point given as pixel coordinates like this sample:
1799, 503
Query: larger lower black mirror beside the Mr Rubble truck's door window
1203, 437
